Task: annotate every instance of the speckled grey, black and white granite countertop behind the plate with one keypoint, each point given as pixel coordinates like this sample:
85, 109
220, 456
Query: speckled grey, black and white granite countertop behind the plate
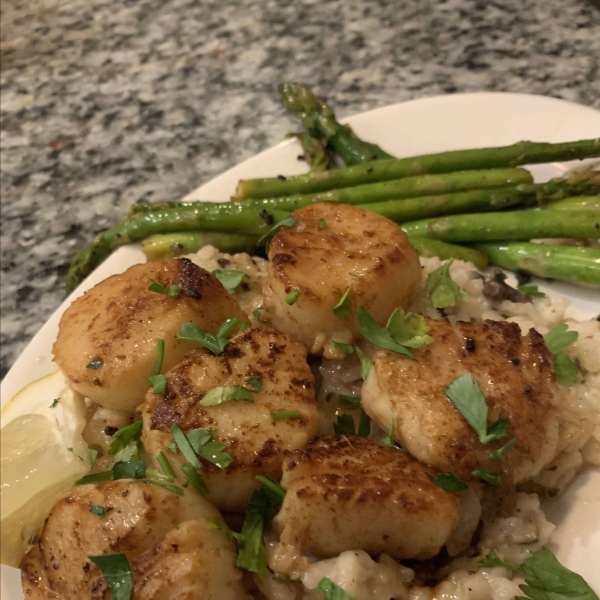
107, 102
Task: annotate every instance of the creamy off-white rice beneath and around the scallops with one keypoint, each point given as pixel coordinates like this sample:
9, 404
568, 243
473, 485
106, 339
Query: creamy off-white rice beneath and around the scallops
513, 525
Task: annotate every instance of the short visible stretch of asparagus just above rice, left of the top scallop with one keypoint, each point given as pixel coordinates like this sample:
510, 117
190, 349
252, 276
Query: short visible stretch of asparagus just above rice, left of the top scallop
167, 245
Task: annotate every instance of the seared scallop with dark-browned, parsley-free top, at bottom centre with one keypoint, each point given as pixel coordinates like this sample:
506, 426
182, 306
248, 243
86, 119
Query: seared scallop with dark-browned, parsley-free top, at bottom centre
350, 493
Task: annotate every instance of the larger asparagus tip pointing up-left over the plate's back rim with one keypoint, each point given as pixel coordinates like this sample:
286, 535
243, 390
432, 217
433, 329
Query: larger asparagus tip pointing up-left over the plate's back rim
318, 117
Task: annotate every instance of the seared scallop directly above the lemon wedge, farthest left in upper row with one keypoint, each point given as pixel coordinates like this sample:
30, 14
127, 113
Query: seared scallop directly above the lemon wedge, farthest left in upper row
107, 339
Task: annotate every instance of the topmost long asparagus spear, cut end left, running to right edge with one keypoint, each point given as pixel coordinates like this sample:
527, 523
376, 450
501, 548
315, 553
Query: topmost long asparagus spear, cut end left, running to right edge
522, 153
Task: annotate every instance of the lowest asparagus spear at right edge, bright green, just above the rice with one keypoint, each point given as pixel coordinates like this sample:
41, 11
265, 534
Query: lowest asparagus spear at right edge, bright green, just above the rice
575, 264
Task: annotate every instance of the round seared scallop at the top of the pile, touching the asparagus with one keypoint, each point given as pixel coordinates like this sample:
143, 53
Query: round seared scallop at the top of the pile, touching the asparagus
330, 249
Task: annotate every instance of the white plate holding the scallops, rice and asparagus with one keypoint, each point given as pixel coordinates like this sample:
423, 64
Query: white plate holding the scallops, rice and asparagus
417, 127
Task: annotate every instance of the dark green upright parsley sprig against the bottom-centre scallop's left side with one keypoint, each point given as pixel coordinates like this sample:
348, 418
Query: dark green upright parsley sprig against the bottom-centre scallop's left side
264, 504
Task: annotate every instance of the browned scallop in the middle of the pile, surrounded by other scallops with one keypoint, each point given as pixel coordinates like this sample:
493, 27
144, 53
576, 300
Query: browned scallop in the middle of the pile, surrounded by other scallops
267, 361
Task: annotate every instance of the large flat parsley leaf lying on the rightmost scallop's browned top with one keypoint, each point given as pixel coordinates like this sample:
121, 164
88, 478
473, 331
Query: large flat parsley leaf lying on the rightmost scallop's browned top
467, 397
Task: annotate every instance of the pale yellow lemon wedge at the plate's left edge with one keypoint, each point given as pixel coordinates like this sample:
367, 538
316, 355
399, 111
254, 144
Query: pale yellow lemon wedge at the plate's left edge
42, 454
